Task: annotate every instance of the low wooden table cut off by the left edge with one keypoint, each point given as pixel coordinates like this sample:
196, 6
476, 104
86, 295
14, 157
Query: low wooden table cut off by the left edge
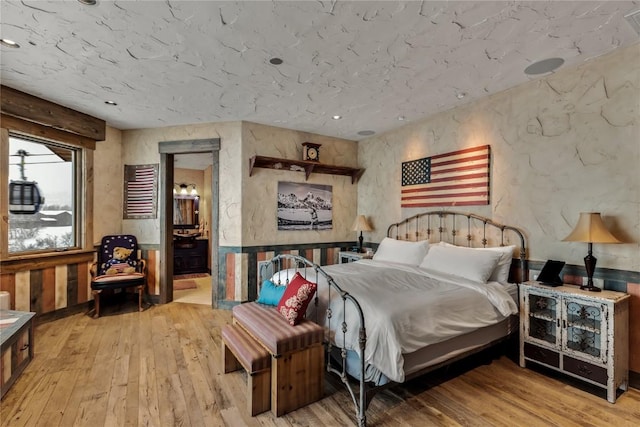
16, 348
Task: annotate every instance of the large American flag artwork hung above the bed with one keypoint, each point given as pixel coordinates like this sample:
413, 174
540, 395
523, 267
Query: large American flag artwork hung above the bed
458, 178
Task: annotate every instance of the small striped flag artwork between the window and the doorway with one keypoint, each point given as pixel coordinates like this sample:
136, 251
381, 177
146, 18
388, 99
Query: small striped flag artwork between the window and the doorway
140, 191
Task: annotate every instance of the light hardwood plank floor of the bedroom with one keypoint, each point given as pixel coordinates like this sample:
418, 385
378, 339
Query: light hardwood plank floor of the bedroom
163, 367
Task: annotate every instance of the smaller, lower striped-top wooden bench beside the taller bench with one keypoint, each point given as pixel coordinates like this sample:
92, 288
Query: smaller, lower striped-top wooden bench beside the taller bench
239, 350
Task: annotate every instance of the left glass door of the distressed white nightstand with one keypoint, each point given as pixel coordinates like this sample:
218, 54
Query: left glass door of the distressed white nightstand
543, 319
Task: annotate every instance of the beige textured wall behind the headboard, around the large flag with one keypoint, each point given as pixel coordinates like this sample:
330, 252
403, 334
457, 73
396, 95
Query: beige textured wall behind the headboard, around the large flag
561, 145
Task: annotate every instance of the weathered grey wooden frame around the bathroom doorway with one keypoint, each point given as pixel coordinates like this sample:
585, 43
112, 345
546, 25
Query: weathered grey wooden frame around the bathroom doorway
167, 151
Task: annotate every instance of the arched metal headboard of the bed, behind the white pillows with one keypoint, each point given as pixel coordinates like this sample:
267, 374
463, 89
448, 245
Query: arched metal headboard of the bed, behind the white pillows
448, 225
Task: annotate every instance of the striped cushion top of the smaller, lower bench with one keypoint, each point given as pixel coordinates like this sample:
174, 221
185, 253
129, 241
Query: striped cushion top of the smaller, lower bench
251, 355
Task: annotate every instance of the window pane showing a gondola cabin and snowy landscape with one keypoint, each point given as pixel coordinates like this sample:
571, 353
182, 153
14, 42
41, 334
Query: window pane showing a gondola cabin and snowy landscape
49, 168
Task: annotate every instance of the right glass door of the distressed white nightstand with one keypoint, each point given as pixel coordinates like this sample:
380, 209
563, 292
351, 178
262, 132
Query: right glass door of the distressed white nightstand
585, 324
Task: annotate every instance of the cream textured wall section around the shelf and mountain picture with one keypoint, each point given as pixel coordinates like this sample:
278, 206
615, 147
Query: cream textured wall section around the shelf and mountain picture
260, 190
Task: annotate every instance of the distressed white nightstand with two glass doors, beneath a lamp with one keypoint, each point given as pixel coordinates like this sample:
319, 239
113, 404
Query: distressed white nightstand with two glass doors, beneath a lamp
579, 333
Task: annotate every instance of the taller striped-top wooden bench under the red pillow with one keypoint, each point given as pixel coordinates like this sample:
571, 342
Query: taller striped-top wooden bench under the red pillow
297, 355
